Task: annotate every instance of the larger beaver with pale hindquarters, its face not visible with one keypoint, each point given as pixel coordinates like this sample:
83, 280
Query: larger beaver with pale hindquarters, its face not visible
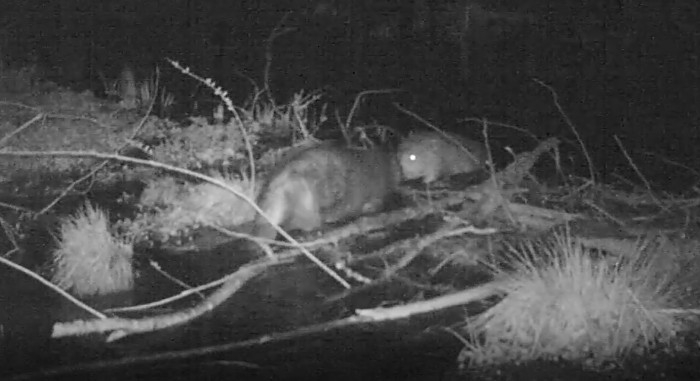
325, 184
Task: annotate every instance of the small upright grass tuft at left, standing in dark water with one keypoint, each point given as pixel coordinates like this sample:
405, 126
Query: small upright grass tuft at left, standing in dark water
90, 260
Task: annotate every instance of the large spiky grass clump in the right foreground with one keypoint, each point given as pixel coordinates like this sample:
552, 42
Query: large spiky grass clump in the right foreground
564, 303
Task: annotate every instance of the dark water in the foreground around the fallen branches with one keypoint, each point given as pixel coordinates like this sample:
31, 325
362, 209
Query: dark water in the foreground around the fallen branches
281, 300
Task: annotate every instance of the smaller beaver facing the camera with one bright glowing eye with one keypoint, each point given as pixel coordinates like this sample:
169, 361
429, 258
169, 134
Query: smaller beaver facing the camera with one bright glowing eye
431, 155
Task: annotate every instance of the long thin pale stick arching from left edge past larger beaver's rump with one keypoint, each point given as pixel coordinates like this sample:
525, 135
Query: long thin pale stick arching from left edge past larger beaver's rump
187, 172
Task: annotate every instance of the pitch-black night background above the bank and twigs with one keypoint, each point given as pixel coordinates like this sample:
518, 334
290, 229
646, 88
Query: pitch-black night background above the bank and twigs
625, 69
